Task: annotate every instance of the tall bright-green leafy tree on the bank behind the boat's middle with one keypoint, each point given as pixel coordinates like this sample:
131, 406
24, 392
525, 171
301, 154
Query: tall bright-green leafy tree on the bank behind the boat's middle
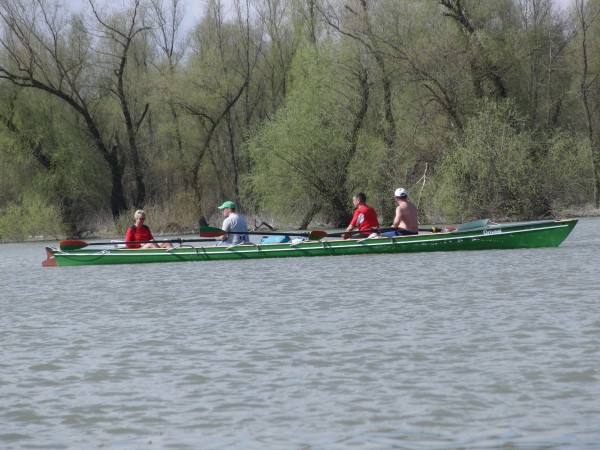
300, 158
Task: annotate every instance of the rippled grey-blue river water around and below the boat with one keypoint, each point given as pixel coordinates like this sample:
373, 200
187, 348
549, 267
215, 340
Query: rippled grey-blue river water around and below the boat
458, 350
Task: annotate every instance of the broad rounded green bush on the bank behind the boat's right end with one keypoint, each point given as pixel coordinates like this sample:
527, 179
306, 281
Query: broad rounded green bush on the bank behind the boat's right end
493, 171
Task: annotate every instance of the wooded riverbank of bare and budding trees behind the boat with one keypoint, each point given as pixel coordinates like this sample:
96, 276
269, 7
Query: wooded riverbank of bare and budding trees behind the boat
480, 109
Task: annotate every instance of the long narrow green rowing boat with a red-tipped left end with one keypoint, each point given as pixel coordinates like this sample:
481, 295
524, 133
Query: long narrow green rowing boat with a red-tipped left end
478, 235
